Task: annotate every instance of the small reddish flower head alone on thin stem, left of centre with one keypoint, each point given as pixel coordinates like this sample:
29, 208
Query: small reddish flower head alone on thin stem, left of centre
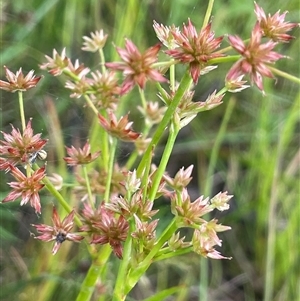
80, 155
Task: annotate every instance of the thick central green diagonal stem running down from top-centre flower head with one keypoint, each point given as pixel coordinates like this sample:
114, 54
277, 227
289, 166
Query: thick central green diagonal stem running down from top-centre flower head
183, 87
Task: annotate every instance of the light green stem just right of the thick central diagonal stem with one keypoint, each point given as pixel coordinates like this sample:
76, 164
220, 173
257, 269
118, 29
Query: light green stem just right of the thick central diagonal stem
174, 129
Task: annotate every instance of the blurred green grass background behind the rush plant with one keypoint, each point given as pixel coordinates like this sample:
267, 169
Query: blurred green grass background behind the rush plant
258, 159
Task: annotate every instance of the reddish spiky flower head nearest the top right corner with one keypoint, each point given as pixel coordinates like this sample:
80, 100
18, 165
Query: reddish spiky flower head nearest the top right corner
274, 26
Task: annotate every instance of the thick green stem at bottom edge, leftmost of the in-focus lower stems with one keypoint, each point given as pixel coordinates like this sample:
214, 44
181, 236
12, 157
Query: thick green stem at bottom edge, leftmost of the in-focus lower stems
96, 269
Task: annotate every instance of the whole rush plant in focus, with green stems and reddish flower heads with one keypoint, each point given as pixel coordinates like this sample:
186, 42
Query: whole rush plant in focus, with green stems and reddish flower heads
116, 215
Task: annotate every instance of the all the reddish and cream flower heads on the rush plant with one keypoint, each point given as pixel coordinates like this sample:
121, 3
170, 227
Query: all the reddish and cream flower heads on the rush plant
110, 221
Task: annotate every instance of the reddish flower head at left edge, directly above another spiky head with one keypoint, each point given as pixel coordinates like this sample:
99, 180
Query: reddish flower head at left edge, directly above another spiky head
18, 148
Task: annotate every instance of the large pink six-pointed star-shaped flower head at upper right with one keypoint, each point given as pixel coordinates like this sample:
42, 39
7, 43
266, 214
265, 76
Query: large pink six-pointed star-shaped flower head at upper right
255, 57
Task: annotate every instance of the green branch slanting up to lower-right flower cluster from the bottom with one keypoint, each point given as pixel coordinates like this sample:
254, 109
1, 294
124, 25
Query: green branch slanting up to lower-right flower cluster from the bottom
136, 274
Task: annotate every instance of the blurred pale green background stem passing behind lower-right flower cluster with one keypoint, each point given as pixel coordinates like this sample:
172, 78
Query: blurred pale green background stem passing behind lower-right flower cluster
203, 285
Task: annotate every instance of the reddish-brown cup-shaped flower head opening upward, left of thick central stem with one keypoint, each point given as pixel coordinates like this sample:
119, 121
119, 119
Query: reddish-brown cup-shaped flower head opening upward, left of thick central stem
120, 129
